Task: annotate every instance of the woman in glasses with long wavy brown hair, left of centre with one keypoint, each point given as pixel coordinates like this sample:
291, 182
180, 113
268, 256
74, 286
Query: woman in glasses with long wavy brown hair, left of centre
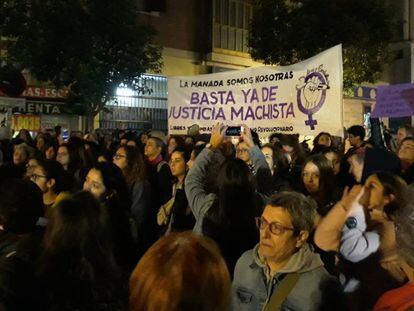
130, 160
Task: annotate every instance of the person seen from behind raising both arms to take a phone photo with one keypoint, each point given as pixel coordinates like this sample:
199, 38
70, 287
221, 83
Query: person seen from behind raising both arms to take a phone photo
227, 216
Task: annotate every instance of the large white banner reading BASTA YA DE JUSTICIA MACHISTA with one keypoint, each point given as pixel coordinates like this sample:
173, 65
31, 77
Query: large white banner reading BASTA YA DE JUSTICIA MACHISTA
303, 98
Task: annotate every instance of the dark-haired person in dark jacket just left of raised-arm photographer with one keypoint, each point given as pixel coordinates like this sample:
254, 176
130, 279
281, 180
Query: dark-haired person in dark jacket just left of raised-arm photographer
176, 214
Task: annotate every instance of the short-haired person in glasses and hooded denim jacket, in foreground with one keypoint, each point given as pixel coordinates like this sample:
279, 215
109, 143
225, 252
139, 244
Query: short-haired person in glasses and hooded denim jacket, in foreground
282, 272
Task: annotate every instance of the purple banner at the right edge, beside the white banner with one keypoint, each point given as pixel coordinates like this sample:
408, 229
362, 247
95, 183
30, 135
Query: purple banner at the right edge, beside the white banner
394, 101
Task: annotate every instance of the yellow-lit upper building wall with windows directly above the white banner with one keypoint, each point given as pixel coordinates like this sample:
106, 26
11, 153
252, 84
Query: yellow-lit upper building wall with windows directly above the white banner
187, 29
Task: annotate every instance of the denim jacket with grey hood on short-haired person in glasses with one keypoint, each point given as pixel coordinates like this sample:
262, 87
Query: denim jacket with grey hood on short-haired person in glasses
252, 287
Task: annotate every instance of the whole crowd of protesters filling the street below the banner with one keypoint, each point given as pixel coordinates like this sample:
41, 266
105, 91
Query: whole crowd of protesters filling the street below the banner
140, 221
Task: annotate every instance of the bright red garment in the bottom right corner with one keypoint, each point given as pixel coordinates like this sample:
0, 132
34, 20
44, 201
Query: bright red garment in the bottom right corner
400, 299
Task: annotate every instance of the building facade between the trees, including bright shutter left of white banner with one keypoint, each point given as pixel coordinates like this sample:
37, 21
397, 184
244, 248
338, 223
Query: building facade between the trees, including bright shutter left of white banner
198, 37
